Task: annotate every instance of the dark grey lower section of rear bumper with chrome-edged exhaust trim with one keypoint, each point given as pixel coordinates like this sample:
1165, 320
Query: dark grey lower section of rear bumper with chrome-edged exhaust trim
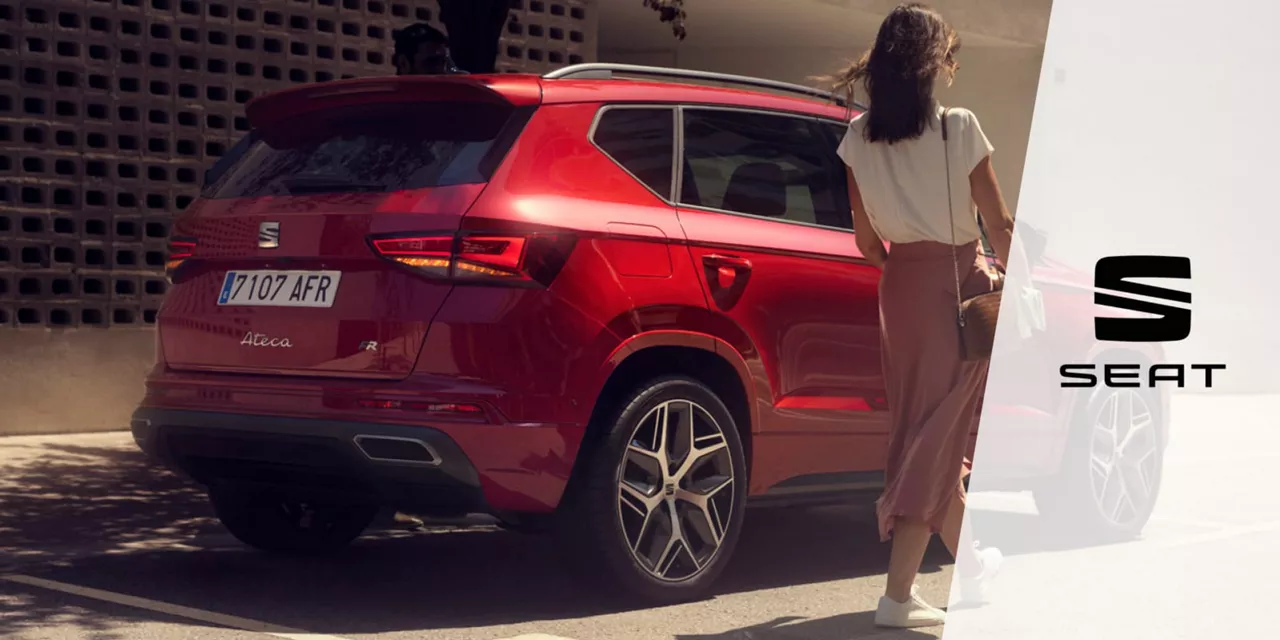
409, 468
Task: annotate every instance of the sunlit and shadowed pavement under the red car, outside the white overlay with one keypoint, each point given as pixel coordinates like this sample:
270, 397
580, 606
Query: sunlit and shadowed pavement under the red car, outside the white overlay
86, 514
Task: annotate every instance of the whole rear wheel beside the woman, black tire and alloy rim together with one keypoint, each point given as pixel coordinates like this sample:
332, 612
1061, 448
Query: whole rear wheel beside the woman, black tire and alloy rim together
601, 522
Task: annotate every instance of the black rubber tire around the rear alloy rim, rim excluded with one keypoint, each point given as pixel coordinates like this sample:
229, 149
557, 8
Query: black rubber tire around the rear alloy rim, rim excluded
591, 532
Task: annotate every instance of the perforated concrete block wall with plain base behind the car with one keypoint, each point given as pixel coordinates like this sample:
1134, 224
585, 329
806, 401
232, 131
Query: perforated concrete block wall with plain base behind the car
109, 113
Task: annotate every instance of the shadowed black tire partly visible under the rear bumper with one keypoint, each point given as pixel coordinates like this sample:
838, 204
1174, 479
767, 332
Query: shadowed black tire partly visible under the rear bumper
285, 525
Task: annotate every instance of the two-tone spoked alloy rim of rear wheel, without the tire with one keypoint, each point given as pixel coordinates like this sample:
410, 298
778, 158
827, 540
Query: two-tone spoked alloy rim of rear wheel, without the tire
675, 491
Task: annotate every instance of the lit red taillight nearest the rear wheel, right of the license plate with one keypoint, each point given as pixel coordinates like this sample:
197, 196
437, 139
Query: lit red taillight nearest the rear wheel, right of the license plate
481, 258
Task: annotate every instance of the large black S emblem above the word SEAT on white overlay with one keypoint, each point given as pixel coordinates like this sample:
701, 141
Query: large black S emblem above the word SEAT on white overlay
1114, 275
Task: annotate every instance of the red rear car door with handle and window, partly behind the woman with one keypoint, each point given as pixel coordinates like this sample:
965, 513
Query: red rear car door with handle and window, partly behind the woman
765, 208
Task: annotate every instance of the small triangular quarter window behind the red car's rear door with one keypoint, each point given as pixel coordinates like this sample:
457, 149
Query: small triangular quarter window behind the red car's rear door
642, 140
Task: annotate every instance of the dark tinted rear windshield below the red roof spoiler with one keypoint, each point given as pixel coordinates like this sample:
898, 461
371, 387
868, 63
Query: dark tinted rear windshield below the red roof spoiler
378, 148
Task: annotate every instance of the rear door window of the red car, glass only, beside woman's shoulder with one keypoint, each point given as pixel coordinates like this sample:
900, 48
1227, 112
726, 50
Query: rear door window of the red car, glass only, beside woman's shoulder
764, 164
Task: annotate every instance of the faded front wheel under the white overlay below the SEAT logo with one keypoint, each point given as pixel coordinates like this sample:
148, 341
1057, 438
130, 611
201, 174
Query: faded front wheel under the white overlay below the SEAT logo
1099, 495
